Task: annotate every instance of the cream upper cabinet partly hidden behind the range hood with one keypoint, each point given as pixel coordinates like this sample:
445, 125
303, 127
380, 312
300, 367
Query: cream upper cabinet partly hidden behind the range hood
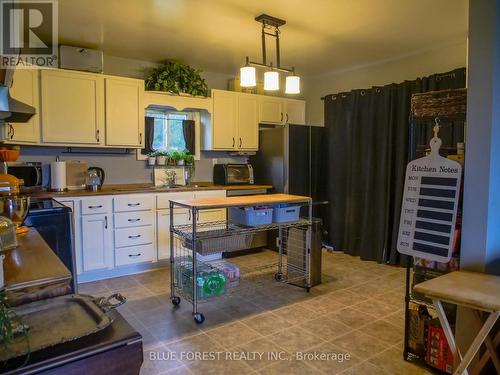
25, 89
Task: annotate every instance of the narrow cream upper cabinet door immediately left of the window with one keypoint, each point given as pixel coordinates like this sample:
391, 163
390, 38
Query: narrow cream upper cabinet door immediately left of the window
124, 112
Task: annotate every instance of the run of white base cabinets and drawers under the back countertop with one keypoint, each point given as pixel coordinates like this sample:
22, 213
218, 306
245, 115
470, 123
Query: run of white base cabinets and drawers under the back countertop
115, 233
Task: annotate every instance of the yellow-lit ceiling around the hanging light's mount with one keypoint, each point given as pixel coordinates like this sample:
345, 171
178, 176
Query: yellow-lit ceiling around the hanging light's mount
216, 35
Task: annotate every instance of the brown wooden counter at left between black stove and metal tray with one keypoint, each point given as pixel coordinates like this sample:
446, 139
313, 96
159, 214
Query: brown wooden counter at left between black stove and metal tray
33, 271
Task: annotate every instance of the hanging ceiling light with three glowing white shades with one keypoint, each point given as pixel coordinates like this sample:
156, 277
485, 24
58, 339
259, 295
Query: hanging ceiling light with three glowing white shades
271, 76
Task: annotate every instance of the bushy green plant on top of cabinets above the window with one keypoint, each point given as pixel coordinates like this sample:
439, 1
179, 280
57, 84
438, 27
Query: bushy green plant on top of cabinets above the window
176, 77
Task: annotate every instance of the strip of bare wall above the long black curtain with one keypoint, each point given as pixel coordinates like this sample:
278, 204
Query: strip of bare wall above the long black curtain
420, 64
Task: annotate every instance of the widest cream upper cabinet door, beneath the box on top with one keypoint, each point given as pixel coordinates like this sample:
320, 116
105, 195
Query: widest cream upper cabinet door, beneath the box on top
72, 107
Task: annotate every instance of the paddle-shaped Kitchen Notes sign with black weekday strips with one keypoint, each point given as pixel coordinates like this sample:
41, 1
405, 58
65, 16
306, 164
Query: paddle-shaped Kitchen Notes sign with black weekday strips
429, 207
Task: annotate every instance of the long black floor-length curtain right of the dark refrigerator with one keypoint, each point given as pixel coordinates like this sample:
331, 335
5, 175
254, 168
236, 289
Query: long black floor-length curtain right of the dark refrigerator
367, 152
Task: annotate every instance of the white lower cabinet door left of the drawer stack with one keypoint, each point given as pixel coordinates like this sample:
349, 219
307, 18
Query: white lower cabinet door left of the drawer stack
97, 242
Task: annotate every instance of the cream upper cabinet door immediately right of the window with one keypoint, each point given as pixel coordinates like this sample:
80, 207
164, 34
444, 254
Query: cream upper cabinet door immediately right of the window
224, 120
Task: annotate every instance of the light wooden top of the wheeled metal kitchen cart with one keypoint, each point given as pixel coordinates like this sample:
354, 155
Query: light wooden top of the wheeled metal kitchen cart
248, 200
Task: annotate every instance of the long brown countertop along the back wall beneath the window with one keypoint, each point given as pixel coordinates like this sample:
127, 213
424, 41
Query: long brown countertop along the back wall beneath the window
145, 188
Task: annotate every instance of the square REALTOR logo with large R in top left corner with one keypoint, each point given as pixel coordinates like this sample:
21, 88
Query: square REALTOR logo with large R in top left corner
29, 32
